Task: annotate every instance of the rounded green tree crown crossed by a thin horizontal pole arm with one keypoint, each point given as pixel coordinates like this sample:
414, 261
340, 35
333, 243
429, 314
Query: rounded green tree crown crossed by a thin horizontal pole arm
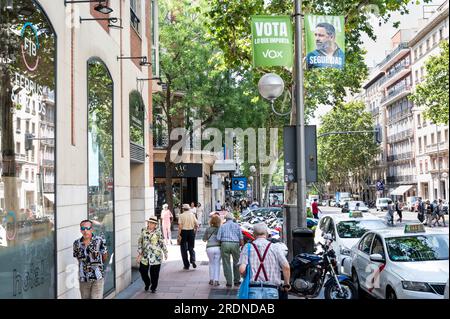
342, 155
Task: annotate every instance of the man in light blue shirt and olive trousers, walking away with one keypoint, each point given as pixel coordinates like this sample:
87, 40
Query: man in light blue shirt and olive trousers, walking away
231, 238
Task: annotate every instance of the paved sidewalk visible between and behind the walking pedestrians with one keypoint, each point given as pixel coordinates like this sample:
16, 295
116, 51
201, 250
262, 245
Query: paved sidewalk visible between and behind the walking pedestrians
177, 283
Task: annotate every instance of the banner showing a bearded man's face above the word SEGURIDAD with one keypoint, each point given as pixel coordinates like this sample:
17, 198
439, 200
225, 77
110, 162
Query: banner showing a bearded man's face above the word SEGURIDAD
325, 41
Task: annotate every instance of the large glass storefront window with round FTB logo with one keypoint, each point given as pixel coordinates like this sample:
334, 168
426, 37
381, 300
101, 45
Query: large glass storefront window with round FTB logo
27, 151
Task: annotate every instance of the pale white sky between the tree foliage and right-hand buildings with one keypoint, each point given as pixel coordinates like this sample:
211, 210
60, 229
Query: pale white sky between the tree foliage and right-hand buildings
377, 50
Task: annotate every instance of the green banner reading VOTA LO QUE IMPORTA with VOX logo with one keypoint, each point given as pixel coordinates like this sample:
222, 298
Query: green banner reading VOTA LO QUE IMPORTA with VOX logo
272, 41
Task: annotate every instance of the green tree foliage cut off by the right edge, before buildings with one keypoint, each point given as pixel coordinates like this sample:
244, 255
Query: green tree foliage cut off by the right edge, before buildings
433, 92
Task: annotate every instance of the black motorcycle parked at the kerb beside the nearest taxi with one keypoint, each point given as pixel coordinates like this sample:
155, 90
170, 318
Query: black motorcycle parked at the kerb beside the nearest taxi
309, 272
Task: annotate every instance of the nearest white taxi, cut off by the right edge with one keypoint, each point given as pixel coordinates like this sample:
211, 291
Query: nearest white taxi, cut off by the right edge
404, 263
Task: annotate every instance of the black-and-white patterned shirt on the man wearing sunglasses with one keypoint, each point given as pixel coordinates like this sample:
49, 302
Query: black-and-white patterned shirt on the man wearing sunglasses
90, 261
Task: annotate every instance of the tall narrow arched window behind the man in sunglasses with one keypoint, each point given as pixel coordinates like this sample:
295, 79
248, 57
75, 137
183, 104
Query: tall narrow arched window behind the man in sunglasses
100, 160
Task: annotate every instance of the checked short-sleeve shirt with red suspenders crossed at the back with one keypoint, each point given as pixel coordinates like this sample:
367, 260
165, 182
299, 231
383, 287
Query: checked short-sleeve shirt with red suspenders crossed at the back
273, 263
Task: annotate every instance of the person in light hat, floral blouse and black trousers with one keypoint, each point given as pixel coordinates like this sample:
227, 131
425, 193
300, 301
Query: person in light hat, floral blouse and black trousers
151, 248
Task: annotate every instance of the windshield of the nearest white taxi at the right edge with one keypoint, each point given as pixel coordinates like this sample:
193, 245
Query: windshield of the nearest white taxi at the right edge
418, 248
